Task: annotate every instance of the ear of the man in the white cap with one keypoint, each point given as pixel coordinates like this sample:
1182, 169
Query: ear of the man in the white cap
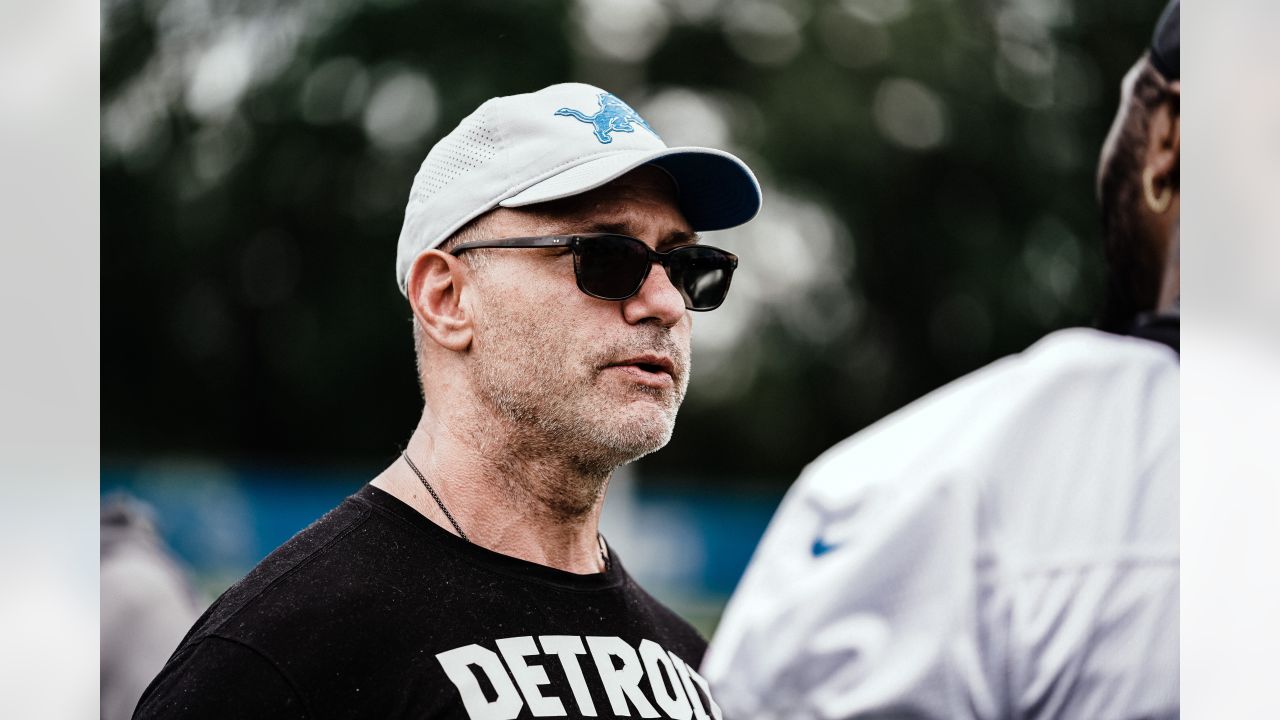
436, 285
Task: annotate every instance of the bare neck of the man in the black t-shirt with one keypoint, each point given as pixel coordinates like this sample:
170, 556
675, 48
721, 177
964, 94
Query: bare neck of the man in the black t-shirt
505, 494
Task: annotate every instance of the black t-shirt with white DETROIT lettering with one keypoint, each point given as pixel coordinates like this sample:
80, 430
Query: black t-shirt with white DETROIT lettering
374, 612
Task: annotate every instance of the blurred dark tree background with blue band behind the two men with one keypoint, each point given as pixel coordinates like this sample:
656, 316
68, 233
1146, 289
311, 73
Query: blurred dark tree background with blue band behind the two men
929, 175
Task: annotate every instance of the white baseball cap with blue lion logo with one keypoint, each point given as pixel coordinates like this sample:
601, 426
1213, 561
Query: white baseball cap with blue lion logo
557, 143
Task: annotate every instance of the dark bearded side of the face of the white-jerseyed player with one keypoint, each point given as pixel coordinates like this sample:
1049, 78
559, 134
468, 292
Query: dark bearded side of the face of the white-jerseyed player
1135, 265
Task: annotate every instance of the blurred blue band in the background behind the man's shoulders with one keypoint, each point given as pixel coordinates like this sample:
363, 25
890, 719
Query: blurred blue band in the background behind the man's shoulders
687, 546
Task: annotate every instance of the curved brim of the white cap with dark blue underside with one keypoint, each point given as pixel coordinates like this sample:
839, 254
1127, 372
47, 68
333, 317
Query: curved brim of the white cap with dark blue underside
715, 189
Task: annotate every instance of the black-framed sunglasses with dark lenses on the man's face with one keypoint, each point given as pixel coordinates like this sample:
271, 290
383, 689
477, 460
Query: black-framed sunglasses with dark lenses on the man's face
614, 267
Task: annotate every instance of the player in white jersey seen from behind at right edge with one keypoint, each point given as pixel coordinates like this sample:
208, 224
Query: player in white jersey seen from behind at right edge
1008, 546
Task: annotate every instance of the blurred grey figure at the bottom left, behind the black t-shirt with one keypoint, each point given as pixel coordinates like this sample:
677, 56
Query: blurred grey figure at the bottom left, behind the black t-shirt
148, 604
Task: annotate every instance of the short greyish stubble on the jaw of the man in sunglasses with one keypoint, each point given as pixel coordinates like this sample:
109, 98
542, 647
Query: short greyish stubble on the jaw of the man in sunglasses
561, 408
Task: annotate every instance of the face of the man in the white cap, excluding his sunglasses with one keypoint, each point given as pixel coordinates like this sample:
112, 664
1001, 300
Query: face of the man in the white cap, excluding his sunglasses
592, 380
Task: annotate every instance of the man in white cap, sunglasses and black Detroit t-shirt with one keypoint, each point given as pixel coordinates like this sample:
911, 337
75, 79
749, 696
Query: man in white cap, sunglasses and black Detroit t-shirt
551, 261
